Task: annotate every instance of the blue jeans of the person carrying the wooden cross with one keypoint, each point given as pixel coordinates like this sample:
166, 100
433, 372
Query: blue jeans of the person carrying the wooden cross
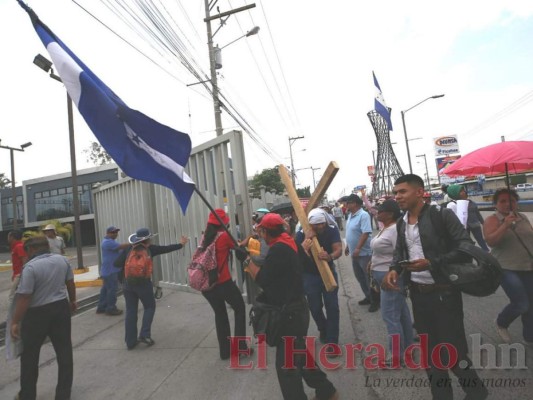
318, 297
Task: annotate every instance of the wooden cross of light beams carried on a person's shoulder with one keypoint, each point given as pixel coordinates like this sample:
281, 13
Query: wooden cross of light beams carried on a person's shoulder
320, 191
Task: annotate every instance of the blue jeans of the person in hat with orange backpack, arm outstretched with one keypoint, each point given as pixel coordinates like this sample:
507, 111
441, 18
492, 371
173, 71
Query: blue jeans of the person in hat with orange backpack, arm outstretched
132, 294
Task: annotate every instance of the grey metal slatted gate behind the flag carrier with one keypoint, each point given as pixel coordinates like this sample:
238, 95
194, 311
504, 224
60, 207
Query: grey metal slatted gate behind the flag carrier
219, 170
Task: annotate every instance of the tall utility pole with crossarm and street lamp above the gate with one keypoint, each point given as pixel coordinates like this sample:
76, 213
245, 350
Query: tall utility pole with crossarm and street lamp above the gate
212, 56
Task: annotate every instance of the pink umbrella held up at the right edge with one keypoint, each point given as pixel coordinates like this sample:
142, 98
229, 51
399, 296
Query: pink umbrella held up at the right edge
495, 159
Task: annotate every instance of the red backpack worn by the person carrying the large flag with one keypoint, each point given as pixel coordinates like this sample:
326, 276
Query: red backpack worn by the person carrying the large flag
203, 269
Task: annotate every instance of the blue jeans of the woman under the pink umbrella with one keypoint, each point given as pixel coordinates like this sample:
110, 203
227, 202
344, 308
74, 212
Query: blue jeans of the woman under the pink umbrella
518, 286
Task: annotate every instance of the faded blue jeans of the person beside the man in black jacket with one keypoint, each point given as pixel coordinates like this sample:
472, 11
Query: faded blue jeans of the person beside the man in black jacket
395, 313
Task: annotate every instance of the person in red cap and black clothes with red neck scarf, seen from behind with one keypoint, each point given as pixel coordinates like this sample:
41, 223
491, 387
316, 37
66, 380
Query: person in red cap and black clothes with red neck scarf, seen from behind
281, 280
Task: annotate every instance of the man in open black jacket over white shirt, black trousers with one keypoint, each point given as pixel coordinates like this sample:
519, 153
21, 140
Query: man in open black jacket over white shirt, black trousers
421, 251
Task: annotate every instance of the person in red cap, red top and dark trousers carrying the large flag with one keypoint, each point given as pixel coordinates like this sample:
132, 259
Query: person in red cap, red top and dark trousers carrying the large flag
225, 291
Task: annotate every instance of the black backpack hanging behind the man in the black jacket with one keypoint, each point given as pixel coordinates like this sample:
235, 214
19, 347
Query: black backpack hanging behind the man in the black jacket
480, 277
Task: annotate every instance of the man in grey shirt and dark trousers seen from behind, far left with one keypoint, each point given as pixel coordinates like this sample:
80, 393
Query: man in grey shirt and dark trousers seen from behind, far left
45, 310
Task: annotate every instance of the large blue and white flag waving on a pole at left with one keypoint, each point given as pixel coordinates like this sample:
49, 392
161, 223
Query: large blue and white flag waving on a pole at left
142, 147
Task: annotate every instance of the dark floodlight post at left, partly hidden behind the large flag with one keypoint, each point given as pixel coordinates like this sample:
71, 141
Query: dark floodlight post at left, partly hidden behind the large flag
46, 66
